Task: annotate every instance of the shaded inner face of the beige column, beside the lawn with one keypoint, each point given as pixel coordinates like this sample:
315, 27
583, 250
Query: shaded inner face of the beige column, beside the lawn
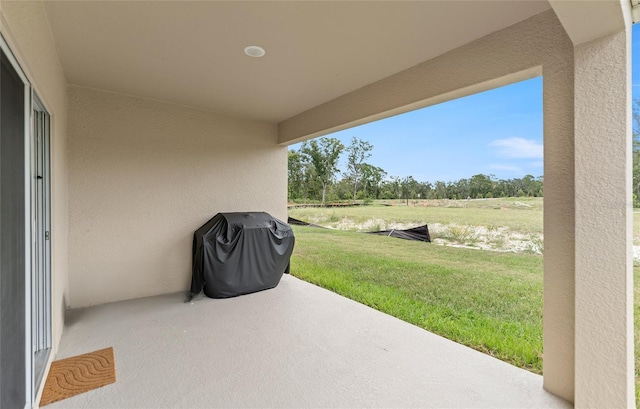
559, 227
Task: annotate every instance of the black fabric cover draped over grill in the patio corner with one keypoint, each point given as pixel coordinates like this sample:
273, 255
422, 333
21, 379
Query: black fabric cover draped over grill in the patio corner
240, 253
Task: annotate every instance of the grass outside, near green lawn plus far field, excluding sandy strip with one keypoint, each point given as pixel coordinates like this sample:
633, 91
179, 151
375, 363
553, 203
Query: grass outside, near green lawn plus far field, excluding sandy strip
488, 300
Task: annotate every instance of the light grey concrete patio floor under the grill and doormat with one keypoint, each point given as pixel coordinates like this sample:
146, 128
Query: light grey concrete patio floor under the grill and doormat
293, 346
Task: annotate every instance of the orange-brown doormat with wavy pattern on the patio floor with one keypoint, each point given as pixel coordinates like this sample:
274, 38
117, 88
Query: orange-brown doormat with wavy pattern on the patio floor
72, 376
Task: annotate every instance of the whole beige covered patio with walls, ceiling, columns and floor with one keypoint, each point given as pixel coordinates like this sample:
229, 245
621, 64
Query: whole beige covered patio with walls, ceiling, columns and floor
126, 125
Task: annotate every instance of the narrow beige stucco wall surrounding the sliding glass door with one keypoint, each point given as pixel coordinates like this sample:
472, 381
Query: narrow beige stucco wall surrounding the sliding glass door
24, 26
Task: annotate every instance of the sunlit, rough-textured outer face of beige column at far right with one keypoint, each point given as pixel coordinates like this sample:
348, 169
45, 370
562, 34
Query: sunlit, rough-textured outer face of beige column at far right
604, 362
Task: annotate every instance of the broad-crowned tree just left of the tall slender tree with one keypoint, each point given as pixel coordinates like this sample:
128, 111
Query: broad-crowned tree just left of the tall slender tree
323, 154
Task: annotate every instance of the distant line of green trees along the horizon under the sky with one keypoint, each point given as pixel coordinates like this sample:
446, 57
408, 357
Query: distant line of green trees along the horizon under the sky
313, 176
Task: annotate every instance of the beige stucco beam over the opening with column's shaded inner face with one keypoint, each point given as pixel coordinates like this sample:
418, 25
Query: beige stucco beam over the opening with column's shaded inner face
538, 45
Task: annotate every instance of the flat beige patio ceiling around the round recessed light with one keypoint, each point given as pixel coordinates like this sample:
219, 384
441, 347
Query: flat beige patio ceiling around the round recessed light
191, 53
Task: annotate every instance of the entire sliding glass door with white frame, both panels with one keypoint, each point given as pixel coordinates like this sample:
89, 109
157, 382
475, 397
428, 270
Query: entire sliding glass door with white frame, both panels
25, 249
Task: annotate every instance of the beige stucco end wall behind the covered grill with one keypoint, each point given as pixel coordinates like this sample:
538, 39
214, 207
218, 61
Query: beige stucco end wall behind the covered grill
143, 176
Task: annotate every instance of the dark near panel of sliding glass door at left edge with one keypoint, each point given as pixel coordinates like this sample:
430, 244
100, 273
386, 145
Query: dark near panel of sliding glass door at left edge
14, 237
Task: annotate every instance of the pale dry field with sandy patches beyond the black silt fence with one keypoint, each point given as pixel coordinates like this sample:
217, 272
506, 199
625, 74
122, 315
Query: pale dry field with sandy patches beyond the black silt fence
491, 224
